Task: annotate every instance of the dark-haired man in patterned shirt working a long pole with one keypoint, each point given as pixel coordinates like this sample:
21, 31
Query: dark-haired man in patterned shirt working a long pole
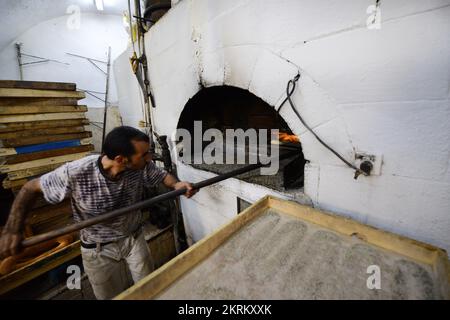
95, 185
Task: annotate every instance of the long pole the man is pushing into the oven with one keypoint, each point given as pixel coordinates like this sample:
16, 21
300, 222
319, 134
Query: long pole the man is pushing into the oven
142, 204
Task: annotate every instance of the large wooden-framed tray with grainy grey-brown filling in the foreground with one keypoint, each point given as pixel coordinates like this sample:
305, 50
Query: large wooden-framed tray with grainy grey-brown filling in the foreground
277, 249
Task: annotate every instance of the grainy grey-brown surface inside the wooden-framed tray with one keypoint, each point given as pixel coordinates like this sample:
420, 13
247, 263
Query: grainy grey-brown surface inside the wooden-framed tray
280, 257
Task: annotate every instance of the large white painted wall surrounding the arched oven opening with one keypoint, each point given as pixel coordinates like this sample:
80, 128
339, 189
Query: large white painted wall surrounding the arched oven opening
383, 91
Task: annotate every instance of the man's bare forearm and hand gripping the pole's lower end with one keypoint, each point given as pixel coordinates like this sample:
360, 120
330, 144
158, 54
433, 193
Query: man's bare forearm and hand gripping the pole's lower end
12, 233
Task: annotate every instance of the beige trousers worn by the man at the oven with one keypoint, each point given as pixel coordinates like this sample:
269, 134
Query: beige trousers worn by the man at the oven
114, 267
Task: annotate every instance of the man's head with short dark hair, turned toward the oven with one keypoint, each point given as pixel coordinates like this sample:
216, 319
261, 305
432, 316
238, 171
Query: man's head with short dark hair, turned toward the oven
128, 147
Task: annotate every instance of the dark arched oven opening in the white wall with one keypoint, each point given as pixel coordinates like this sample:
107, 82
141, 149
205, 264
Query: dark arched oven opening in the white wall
228, 107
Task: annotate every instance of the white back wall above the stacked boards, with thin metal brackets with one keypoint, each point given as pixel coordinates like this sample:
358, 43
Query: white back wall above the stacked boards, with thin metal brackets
52, 39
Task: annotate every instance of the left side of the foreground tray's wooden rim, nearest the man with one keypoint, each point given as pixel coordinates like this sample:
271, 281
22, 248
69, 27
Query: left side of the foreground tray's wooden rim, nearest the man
162, 278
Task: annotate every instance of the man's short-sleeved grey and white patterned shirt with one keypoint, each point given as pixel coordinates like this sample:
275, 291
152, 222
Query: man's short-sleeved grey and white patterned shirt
93, 193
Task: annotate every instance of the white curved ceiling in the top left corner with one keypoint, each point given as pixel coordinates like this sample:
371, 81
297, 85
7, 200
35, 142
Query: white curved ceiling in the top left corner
17, 16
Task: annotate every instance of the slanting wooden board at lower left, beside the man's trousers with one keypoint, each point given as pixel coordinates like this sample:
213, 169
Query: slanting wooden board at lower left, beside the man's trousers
27, 273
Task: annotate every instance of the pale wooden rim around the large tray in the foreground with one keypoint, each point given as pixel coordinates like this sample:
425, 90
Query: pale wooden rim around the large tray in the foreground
157, 281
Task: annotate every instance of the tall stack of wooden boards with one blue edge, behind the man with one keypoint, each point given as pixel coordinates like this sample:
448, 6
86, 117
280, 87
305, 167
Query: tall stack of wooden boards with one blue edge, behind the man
41, 128
